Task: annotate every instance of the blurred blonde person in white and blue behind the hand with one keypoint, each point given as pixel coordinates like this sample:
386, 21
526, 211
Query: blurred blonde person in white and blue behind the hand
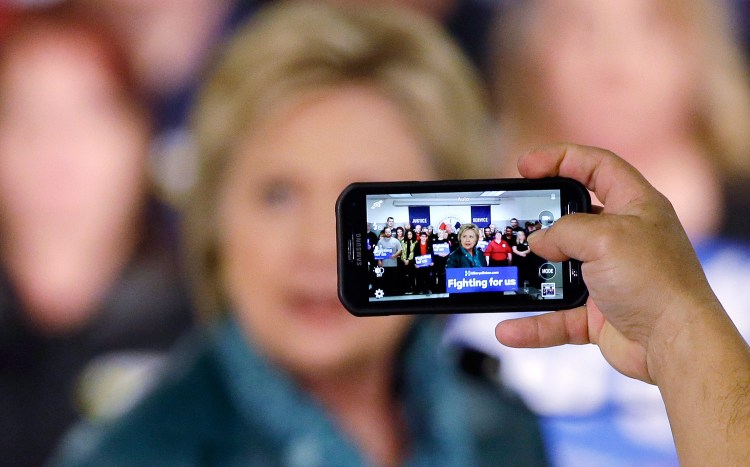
663, 84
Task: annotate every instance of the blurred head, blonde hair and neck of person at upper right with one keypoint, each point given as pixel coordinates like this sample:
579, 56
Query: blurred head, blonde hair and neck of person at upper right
662, 83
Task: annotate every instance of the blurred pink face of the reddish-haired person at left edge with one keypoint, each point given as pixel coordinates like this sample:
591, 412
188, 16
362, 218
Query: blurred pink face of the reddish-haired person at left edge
72, 146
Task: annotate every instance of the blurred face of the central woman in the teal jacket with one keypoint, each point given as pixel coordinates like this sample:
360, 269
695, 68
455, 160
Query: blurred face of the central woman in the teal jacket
288, 171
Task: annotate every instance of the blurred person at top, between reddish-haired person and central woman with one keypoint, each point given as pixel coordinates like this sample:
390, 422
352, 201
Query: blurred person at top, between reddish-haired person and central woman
170, 44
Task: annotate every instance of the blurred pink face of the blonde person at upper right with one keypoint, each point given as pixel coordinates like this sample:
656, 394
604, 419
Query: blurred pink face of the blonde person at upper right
614, 73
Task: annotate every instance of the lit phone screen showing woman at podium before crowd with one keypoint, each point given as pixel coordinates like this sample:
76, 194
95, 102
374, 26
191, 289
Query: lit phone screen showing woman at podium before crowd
417, 253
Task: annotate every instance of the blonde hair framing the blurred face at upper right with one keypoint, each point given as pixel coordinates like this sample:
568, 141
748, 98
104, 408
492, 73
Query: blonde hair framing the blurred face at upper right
722, 120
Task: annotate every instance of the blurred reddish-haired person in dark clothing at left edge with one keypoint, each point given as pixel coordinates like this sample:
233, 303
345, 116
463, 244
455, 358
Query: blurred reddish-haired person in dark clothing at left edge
90, 296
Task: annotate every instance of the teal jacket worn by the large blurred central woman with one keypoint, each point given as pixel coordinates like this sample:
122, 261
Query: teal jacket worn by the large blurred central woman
220, 404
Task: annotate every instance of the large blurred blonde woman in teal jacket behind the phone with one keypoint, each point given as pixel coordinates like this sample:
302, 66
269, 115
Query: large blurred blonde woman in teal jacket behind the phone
307, 99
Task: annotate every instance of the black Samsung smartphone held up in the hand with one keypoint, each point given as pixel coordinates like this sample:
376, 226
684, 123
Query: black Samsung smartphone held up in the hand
454, 246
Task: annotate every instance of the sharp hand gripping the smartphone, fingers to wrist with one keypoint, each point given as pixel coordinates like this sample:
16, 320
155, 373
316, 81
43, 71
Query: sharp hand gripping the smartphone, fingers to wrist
643, 277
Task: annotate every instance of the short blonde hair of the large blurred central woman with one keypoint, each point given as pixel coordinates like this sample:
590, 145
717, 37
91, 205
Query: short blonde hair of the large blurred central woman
291, 49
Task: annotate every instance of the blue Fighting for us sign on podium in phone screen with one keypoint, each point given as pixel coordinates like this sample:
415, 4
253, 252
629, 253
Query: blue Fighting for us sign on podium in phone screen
469, 280
